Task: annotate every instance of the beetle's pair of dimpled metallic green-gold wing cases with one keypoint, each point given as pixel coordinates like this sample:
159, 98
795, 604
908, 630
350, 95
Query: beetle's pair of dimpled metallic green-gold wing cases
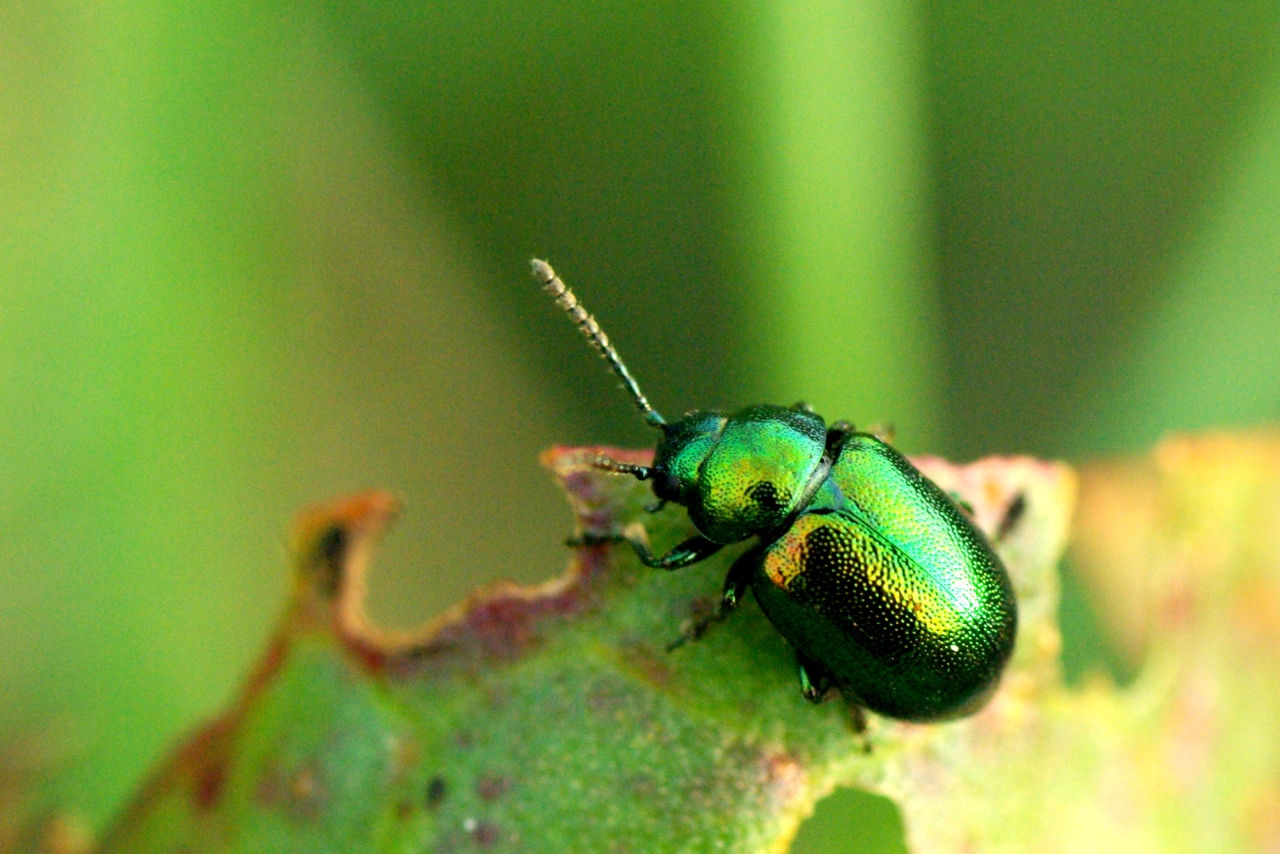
893, 591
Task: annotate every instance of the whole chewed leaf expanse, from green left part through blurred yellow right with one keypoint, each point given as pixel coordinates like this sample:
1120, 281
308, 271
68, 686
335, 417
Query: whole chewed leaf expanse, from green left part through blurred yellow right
555, 719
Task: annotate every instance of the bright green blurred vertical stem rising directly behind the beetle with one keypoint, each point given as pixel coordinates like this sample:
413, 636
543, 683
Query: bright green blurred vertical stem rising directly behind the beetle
848, 310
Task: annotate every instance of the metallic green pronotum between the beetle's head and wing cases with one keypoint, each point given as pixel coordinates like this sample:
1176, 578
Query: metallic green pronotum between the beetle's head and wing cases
755, 476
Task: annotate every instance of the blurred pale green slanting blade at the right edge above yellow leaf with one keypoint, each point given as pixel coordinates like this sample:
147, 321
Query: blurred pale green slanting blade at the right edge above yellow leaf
1206, 354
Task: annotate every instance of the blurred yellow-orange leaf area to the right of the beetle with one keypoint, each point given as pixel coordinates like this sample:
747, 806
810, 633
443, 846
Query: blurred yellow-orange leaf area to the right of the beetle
1182, 551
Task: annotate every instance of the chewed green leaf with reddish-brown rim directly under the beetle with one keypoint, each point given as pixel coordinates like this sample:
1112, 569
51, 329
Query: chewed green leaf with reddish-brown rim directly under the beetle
555, 719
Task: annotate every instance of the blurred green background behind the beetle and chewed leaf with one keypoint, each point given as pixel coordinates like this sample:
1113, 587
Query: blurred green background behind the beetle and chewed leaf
255, 255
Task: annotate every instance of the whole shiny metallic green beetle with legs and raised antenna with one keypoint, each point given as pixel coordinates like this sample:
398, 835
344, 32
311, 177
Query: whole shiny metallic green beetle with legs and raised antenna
881, 583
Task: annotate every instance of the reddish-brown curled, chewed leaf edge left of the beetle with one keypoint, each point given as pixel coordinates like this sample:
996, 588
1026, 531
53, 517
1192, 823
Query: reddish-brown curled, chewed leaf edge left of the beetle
333, 546
